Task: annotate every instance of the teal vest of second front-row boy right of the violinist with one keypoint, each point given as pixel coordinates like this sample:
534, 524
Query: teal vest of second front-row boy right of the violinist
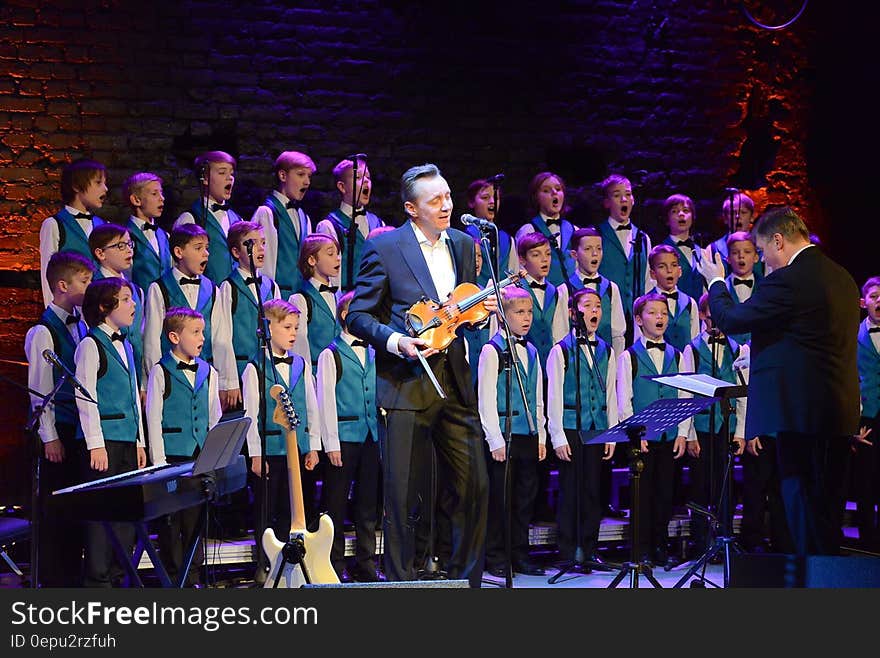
594, 412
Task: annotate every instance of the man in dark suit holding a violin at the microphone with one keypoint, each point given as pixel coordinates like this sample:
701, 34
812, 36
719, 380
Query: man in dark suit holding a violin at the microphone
423, 258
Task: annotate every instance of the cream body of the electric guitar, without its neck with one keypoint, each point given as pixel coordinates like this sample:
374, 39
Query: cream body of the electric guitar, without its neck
317, 557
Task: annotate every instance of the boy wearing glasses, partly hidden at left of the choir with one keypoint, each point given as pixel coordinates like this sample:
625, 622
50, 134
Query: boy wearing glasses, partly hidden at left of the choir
112, 248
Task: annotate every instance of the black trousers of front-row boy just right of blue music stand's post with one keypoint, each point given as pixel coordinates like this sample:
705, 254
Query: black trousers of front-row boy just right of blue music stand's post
655, 497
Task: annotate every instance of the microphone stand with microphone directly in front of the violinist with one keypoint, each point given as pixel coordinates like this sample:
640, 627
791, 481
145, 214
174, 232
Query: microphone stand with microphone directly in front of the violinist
509, 359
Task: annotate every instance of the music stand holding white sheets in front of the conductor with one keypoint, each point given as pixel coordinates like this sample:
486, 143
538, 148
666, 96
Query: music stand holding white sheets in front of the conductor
718, 389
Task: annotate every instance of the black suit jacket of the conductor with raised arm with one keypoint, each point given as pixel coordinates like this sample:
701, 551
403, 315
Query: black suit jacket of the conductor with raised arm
804, 320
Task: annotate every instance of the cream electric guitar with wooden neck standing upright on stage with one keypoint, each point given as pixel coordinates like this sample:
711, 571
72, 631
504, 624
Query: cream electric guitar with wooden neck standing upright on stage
316, 545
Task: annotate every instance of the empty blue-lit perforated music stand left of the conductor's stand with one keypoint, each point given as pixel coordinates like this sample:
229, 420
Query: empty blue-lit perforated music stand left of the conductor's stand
649, 423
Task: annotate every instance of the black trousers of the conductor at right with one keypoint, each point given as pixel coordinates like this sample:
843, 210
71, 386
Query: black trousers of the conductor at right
812, 471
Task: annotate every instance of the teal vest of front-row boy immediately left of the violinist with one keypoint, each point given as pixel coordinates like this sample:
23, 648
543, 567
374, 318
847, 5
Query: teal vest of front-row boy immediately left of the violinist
355, 393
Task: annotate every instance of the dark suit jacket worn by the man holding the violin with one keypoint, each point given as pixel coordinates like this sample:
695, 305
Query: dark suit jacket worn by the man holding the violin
393, 276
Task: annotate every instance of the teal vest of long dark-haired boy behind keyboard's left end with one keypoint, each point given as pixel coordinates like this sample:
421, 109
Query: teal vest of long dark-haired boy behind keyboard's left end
117, 390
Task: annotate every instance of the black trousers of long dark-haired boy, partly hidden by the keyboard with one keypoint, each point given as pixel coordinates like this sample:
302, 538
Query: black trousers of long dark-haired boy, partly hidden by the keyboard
102, 567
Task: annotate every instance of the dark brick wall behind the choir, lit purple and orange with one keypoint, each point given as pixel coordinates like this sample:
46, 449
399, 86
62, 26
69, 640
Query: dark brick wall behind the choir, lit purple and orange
680, 96
